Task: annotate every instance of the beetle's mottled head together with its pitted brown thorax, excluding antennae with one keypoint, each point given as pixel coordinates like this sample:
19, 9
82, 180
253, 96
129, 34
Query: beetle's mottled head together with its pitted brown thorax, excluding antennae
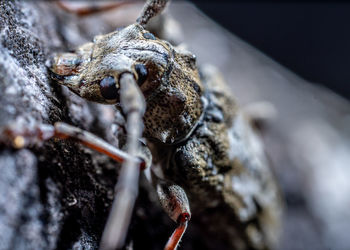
167, 77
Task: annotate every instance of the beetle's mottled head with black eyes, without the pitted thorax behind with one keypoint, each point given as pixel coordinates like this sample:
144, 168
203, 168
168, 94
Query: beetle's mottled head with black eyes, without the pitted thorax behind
94, 69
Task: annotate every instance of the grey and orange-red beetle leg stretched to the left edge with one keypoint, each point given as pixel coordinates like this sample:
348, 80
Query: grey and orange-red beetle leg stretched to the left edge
19, 136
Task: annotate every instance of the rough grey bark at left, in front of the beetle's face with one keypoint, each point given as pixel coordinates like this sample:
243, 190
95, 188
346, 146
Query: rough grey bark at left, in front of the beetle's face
52, 195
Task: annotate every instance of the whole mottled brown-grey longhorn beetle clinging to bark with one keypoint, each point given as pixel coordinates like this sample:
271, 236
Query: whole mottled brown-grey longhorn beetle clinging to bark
200, 151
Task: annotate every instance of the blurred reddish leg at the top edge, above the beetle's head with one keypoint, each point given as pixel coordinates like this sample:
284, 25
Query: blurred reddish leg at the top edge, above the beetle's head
92, 9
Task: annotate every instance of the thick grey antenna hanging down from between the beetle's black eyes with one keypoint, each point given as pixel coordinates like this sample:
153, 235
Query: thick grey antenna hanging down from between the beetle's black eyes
133, 105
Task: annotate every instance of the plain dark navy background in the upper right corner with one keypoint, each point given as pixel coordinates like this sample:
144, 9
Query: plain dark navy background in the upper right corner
312, 39
